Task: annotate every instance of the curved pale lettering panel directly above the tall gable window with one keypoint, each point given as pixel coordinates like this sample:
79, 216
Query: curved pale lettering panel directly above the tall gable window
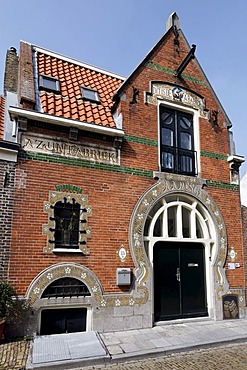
176, 94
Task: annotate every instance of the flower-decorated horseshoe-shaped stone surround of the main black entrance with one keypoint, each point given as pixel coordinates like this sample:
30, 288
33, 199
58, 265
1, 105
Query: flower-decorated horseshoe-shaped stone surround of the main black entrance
169, 184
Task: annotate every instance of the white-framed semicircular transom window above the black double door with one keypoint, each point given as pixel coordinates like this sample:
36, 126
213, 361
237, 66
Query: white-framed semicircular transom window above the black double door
178, 217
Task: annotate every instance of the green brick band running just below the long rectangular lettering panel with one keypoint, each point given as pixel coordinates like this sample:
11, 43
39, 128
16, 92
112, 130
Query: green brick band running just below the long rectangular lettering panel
87, 164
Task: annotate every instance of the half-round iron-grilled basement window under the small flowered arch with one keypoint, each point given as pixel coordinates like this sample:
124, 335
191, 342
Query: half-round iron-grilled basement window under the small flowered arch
66, 287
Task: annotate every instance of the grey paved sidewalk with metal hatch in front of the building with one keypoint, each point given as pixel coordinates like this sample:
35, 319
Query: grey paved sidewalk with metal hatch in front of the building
68, 351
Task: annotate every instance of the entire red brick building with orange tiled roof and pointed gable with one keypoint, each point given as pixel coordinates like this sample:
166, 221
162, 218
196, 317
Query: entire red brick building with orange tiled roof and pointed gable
125, 192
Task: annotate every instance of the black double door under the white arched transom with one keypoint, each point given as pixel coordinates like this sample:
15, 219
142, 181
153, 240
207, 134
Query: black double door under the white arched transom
179, 280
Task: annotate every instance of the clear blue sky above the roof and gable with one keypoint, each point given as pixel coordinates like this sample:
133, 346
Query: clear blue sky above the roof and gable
116, 35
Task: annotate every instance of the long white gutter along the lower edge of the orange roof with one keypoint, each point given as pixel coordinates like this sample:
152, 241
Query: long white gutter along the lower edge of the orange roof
16, 112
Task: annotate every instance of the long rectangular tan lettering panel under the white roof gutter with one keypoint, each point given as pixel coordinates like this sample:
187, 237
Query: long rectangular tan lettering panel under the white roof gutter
87, 152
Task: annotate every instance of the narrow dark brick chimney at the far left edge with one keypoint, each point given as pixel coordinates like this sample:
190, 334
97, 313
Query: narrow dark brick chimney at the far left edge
11, 71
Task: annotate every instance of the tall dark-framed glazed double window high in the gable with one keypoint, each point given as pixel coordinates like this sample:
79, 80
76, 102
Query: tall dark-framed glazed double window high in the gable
177, 142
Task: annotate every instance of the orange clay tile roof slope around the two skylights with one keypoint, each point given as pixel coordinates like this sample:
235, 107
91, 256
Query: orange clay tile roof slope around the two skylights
70, 103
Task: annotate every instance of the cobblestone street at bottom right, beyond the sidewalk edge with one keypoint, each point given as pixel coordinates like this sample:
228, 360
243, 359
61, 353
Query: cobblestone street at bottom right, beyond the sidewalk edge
227, 357
